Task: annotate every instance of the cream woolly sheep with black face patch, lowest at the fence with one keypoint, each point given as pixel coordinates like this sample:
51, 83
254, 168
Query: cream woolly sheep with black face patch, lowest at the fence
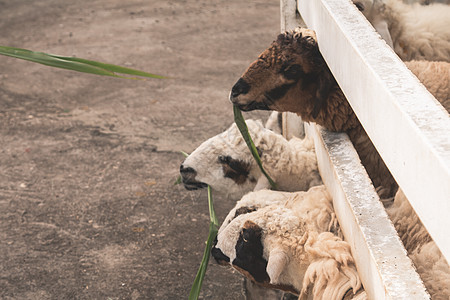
289, 241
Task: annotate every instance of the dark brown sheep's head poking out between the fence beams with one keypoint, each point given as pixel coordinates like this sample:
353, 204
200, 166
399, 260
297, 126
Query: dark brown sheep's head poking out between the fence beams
291, 75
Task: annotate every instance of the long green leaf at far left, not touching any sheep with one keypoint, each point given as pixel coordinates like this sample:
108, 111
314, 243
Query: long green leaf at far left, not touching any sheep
73, 63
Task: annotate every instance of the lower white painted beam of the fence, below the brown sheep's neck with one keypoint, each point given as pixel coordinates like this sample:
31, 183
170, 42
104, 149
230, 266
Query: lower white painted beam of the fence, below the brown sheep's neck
385, 269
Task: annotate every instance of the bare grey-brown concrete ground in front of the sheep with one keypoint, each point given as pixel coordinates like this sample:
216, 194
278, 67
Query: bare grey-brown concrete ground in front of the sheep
87, 163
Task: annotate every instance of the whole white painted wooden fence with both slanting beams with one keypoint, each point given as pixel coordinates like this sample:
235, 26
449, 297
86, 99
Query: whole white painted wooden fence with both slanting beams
408, 127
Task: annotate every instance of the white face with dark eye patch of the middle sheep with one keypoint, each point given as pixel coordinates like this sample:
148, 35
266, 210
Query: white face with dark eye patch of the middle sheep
223, 162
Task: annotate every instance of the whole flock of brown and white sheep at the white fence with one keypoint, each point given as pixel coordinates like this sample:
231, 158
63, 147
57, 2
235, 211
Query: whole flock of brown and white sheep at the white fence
290, 239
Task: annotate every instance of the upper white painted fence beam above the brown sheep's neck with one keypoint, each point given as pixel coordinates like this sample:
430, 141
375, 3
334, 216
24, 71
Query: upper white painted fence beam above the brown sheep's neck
409, 128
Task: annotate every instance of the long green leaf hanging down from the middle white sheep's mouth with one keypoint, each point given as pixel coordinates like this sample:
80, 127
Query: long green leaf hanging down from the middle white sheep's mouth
213, 229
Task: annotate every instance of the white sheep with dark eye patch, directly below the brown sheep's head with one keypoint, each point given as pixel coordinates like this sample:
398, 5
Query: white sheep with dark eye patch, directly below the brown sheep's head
225, 163
